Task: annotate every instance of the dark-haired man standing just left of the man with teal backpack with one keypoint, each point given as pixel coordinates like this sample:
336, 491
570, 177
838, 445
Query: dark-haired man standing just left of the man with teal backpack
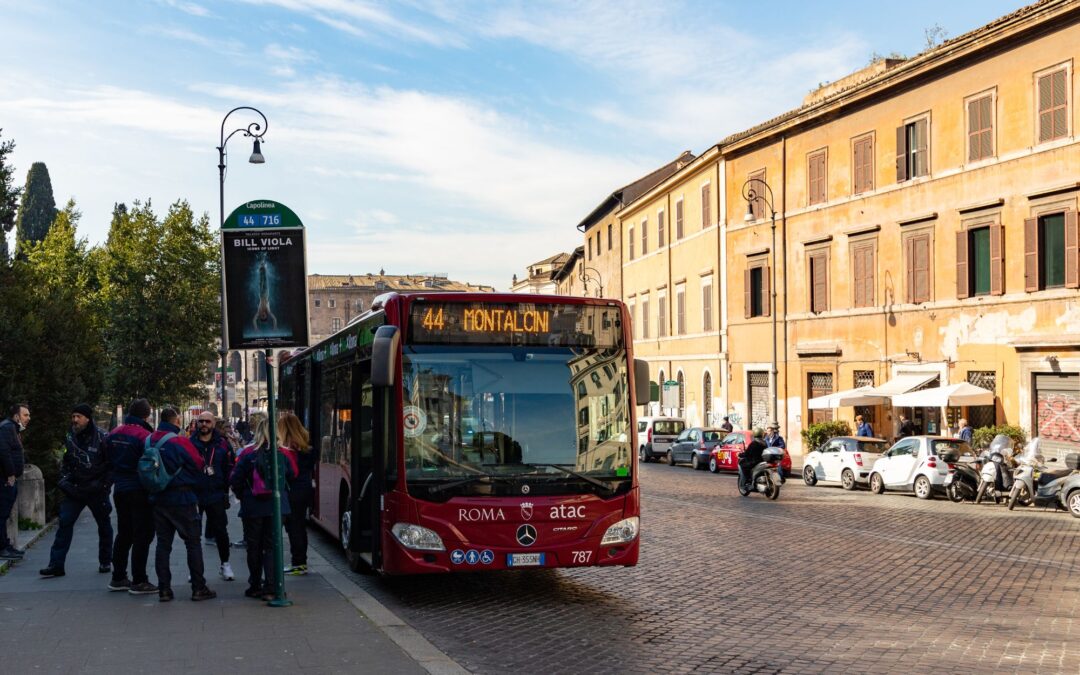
124, 448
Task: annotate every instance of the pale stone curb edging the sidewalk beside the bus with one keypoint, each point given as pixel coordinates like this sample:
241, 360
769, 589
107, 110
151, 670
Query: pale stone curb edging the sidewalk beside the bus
406, 637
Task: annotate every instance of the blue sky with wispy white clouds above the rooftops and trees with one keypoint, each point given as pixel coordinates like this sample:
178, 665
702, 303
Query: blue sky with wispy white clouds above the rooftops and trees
417, 137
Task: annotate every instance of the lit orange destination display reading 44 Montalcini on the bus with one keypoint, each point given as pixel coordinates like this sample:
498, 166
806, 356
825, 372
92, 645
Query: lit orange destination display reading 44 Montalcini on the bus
503, 323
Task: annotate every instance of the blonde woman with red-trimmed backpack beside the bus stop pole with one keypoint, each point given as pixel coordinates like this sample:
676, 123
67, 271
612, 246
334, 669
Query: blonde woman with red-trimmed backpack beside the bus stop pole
256, 510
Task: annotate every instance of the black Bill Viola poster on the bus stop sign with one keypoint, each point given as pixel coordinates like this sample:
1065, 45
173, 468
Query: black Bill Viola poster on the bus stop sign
266, 288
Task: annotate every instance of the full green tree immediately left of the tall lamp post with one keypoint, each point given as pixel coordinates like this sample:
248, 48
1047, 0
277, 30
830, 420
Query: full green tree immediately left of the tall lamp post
160, 282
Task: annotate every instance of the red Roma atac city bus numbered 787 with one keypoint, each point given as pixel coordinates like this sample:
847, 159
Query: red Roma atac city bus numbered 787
465, 431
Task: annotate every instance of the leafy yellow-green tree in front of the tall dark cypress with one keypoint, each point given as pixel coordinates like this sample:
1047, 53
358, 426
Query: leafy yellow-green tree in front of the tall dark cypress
51, 348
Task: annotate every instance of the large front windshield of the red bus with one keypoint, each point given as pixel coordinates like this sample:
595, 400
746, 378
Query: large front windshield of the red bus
499, 414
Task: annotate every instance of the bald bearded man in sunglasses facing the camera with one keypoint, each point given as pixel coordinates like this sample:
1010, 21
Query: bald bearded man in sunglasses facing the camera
213, 492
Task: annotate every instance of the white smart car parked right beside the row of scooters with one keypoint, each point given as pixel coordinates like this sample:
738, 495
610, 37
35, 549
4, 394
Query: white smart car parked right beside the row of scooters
917, 464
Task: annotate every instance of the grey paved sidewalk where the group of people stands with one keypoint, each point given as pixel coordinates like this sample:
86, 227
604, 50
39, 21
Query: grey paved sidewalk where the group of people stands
74, 625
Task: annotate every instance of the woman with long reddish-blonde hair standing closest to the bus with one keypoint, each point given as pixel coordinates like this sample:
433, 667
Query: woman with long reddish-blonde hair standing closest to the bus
302, 492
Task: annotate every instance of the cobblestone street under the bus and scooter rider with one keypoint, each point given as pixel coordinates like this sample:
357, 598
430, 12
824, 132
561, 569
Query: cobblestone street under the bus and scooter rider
820, 580
